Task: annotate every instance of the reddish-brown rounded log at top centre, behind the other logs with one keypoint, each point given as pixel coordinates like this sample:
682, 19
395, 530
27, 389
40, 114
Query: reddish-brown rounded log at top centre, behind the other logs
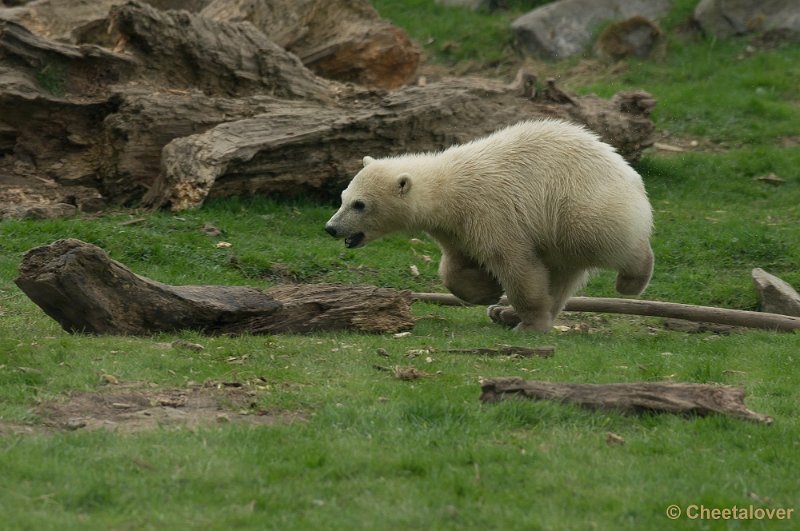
359, 47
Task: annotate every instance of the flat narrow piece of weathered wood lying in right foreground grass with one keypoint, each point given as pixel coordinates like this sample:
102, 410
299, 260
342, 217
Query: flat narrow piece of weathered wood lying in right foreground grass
675, 398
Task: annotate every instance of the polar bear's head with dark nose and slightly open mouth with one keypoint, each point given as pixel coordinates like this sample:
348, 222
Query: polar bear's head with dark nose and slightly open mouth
375, 203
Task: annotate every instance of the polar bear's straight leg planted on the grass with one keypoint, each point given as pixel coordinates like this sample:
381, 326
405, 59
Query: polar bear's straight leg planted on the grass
527, 288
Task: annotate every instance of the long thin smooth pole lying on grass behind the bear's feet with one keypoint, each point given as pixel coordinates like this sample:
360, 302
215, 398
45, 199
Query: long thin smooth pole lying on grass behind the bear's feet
689, 312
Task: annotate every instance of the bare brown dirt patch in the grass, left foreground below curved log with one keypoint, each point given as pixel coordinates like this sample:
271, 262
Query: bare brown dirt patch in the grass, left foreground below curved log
135, 406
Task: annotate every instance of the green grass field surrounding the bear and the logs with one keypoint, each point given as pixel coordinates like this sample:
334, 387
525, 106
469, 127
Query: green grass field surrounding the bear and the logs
326, 441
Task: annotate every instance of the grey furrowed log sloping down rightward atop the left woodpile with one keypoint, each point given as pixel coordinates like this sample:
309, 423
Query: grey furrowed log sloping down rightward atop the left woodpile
182, 50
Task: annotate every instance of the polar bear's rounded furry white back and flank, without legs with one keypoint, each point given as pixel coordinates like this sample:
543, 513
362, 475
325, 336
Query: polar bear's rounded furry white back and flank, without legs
554, 181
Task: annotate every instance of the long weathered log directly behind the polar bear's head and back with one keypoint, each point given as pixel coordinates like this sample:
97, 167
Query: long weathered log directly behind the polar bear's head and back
297, 150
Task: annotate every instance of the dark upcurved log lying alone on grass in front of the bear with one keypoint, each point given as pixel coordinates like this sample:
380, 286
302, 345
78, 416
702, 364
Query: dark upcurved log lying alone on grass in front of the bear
79, 286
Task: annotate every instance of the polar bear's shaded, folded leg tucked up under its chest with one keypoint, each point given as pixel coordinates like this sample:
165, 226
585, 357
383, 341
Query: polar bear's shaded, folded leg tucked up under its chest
467, 280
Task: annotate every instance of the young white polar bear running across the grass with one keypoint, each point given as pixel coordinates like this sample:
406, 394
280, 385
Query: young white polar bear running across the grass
529, 210
